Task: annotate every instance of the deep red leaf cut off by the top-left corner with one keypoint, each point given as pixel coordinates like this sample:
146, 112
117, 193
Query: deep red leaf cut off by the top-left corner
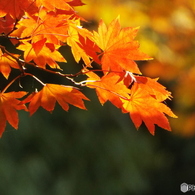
15, 8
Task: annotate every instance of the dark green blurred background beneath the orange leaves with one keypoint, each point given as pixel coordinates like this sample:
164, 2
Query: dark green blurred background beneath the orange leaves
95, 152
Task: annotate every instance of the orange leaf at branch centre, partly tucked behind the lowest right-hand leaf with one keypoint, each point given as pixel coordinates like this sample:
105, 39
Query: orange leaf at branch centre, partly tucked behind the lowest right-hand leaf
109, 87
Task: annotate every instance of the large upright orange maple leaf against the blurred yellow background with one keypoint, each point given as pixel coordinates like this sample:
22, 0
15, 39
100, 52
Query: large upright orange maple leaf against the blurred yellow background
119, 48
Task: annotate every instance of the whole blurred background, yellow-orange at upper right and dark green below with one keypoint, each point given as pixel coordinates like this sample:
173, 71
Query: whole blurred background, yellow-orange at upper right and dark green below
99, 151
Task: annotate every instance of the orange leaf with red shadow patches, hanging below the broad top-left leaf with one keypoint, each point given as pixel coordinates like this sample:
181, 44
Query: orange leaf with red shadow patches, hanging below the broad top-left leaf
41, 57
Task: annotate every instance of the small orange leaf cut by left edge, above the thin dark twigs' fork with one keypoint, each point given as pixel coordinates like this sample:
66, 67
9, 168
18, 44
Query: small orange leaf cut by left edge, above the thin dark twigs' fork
6, 63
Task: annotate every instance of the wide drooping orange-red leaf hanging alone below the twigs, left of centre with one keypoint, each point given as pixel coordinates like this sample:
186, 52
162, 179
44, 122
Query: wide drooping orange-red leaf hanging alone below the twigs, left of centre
51, 93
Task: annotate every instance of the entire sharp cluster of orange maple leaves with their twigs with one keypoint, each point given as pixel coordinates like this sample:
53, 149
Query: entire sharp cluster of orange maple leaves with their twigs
39, 28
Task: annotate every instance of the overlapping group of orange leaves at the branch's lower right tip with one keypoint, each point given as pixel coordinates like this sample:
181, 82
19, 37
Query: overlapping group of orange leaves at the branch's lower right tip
143, 102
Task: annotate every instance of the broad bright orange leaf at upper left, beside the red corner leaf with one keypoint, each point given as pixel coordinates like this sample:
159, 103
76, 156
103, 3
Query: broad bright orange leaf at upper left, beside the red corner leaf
50, 25
